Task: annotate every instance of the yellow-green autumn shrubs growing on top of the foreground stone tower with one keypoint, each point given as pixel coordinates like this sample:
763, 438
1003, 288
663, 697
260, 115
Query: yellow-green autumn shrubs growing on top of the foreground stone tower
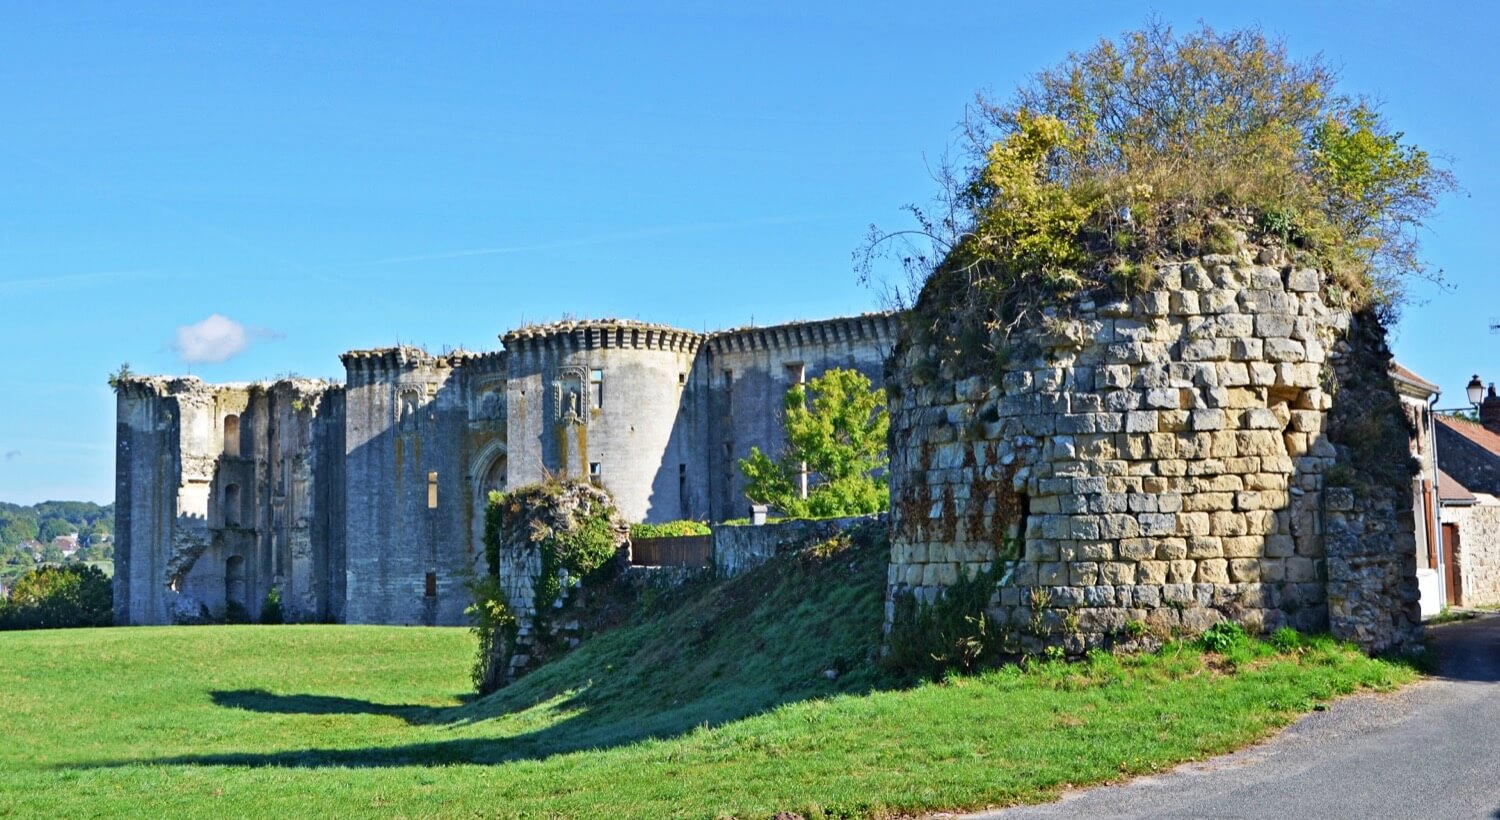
1157, 146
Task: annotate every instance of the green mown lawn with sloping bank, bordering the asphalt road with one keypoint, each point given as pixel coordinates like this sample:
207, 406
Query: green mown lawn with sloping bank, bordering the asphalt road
719, 707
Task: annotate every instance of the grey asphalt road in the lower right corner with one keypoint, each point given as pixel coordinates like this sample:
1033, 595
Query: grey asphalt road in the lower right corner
1432, 750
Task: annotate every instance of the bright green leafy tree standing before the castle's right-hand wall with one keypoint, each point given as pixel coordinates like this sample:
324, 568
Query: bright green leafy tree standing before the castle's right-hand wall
836, 432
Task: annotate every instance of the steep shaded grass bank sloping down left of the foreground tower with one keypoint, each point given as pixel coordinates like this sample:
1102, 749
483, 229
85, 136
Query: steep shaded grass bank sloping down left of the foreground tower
791, 630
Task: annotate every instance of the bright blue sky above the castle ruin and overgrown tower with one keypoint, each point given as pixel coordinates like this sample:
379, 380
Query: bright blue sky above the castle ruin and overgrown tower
334, 176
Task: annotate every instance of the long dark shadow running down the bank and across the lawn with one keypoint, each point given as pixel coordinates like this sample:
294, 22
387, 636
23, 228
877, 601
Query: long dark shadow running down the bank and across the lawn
724, 654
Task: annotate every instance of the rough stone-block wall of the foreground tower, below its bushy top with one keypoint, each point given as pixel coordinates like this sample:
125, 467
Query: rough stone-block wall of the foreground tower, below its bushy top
1157, 459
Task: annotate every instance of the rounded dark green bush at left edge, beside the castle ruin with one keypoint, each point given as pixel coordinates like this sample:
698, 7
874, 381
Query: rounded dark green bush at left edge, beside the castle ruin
55, 597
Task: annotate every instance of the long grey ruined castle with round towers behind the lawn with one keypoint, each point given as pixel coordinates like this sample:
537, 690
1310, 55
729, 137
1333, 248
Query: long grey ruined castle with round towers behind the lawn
364, 503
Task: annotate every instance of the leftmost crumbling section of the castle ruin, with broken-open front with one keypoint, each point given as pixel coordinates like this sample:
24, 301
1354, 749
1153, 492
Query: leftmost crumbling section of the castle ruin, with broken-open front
223, 495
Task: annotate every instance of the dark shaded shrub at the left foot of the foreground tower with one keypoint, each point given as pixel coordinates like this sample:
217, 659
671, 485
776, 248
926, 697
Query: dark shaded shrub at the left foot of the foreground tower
952, 635
